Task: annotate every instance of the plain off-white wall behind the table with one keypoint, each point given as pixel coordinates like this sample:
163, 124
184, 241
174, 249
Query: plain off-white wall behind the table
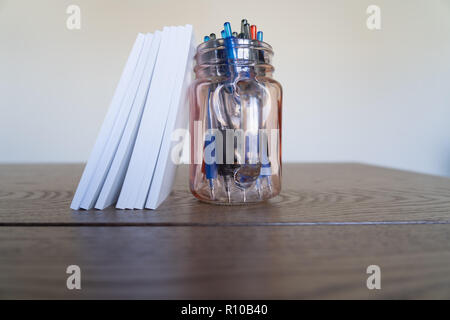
350, 94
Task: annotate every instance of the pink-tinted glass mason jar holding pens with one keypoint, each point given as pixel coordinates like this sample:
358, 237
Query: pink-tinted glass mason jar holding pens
235, 123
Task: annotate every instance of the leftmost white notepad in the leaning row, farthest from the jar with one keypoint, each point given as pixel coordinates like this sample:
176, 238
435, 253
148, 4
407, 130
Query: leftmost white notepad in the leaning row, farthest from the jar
109, 121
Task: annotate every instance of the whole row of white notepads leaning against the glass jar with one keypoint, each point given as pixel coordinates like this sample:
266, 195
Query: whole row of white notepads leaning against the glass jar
130, 163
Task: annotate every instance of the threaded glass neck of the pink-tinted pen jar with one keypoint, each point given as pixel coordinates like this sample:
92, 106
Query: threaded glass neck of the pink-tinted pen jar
251, 58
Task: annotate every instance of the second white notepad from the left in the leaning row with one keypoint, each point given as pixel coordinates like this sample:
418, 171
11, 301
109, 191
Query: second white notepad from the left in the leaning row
116, 175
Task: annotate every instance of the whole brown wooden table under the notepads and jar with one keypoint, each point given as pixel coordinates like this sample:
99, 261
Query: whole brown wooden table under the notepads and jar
315, 240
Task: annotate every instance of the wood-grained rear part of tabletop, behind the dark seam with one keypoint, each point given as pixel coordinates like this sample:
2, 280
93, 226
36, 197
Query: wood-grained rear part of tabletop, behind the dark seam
311, 193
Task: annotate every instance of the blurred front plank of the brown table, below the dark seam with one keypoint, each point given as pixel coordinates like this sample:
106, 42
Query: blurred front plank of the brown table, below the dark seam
290, 262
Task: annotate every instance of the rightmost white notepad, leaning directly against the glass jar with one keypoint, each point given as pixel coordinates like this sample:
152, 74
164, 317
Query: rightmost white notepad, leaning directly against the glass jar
164, 174
